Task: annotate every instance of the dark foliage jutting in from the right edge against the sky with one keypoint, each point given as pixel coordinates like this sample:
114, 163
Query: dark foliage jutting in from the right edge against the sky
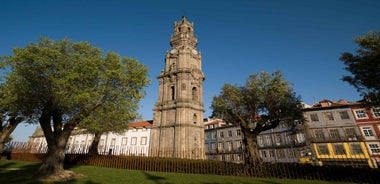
365, 67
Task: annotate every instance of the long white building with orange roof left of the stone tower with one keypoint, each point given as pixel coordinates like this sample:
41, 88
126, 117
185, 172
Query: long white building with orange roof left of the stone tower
133, 141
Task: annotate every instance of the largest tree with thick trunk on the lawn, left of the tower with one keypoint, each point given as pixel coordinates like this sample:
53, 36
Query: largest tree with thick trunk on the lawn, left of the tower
64, 84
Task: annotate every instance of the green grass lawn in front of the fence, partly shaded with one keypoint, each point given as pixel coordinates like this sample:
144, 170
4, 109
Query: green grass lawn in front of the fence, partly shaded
12, 171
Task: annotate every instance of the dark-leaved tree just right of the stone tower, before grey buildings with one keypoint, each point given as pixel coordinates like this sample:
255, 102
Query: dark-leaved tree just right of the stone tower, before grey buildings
261, 104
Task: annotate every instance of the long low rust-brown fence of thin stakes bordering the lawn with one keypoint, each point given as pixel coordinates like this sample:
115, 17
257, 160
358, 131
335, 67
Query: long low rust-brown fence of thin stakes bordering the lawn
189, 166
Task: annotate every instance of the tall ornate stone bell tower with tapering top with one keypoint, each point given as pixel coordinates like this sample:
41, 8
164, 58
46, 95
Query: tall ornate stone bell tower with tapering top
178, 129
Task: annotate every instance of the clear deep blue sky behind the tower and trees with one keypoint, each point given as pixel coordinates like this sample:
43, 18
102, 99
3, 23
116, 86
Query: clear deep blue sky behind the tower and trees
303, 39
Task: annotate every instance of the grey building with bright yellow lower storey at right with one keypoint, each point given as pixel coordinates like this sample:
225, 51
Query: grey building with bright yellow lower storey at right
333, 134
